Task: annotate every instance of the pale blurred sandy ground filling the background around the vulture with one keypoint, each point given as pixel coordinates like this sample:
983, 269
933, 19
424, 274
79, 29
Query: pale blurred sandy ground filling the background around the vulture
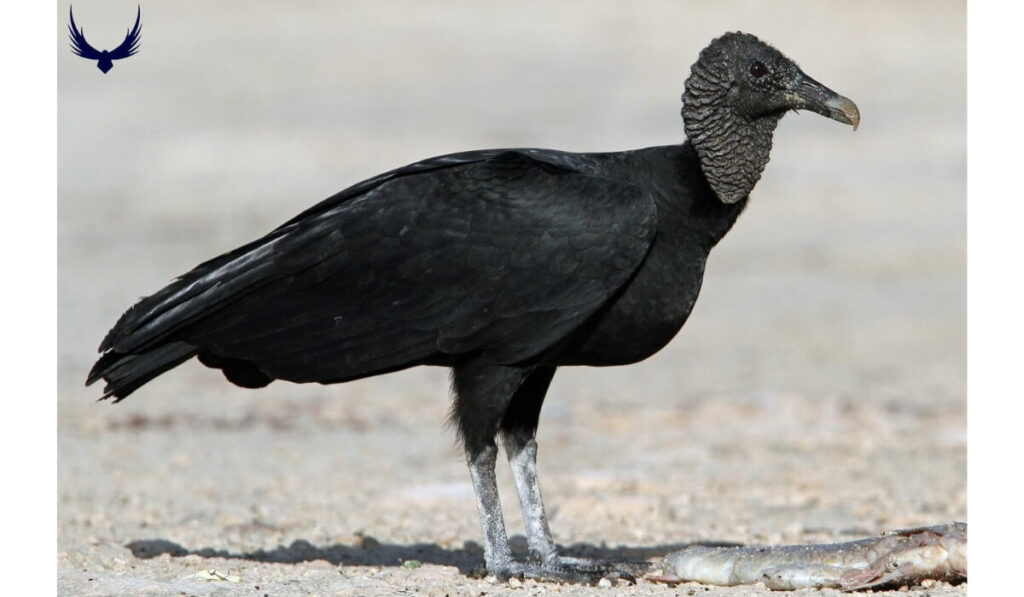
818, 393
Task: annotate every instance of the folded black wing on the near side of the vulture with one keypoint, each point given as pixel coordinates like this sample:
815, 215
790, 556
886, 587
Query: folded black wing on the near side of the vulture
500, 253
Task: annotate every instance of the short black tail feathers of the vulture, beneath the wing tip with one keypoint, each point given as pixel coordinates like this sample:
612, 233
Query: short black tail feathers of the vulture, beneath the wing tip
126, 373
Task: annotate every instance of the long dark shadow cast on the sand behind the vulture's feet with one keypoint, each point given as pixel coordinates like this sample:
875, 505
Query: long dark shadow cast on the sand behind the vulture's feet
470, 559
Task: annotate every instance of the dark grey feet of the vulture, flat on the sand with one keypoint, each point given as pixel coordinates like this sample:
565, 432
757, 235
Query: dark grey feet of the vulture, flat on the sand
570, 570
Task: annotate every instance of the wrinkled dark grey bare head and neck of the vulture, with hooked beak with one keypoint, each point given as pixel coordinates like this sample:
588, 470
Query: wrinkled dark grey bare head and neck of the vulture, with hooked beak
738, 92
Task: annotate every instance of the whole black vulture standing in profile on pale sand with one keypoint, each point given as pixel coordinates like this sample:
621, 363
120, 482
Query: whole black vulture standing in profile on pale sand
501, 265
